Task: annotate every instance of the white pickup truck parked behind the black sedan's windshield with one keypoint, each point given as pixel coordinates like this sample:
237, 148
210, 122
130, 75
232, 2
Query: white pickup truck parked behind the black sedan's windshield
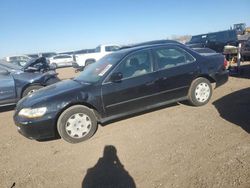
85, 59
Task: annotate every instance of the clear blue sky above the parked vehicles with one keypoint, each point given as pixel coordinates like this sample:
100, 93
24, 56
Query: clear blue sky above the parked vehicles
31, 26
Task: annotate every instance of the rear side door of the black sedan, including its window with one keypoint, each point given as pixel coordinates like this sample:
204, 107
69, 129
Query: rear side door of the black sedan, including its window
176, 69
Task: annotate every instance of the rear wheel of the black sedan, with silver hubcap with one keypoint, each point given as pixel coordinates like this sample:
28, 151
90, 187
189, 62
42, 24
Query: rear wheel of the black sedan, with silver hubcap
200, 92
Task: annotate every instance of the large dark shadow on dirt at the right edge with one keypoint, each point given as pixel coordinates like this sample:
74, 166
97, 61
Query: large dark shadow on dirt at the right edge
235, 108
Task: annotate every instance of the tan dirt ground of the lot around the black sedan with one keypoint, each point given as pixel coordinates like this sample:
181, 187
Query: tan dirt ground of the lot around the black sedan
176, 146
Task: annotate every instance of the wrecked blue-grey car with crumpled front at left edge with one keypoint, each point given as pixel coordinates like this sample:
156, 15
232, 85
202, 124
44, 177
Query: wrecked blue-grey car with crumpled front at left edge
17, 82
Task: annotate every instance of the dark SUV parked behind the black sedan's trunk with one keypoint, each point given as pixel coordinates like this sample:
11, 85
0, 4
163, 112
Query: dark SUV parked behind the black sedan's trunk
215, 41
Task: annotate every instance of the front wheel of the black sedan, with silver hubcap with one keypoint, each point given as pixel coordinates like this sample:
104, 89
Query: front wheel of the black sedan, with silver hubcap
77, 124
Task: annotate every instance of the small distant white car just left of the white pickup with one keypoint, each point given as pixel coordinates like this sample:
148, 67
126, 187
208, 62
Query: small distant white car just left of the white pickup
62, 60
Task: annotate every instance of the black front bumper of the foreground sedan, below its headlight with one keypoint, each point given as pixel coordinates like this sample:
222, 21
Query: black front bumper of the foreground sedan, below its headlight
40, 128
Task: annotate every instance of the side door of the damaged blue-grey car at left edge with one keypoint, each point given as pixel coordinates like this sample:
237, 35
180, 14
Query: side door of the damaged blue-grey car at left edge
7, 88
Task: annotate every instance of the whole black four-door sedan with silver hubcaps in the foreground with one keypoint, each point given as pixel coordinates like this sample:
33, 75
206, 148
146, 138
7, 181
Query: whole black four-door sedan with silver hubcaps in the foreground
125, 82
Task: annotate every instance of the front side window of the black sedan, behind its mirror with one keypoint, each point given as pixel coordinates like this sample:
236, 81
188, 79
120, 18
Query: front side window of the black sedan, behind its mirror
135, 65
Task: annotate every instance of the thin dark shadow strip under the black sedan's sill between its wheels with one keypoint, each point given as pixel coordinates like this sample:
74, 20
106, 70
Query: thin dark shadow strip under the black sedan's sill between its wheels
139, 113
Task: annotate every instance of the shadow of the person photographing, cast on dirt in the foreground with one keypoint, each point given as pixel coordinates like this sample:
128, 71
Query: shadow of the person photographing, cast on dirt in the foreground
108, 172
